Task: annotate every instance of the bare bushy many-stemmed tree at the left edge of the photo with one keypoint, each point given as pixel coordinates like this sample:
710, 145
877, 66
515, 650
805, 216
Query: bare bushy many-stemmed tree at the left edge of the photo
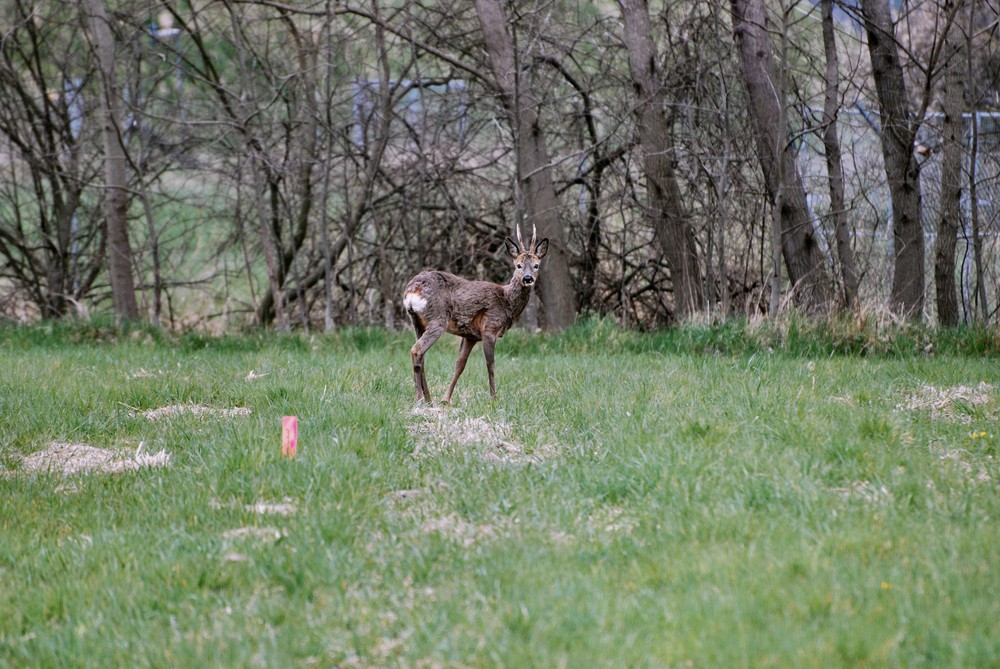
51, 253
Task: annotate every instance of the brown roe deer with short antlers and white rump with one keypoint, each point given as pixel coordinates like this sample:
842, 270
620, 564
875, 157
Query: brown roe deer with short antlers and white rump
476, 311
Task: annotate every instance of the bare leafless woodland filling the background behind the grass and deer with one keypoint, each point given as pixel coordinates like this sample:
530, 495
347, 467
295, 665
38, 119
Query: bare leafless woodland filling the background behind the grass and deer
222, 164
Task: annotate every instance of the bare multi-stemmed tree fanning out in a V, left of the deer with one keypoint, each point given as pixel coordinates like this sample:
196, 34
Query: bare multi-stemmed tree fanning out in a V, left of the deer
273, 131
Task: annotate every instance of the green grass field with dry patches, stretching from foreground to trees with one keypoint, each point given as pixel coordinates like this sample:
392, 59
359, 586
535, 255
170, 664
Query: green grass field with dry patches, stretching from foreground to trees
703, 498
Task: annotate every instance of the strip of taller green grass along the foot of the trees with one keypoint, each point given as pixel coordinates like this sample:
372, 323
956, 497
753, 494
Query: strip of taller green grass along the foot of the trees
847, 335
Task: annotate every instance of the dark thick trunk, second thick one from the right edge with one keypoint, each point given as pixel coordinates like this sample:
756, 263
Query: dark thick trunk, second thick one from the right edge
901, 168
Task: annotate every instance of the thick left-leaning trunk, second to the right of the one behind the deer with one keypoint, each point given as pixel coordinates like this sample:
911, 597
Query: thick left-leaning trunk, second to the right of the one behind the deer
801, 251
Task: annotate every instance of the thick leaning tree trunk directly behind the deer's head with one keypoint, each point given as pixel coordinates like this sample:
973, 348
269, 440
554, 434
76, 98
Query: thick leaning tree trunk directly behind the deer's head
534, 167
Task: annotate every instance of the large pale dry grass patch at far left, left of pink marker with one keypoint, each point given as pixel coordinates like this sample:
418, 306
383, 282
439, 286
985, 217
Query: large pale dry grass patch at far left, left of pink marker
66, 458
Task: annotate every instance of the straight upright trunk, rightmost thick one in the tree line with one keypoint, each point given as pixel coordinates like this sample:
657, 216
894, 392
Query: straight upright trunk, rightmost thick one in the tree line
950, 218
